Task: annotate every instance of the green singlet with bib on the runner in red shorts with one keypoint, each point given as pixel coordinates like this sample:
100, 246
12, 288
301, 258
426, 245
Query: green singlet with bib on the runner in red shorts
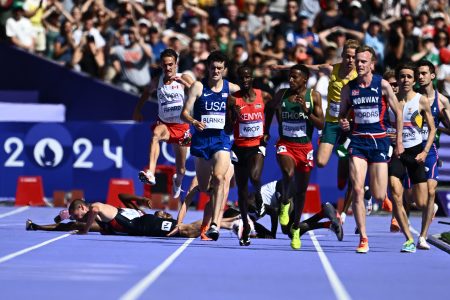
295, 125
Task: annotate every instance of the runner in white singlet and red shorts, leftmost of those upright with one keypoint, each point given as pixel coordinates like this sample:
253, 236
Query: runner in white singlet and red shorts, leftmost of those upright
170, 88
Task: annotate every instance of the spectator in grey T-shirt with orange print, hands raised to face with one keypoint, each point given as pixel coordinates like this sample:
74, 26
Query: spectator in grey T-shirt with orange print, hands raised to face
131, 62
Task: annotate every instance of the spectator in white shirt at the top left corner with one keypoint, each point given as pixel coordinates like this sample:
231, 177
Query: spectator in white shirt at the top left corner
19, 29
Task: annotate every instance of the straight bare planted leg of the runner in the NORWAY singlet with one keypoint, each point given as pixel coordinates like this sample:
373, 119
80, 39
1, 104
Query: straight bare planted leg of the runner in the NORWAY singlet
358, 170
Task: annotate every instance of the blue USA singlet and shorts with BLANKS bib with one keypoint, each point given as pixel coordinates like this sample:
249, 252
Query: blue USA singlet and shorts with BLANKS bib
210, 108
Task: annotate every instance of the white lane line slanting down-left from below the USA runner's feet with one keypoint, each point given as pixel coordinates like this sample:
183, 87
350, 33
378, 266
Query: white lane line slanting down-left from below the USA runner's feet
137, 290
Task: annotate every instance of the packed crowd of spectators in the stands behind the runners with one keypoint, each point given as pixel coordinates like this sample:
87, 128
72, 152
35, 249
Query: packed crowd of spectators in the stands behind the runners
119, 41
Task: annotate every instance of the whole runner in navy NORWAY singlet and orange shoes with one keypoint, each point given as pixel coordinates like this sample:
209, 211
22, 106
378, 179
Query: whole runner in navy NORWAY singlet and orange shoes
369, 96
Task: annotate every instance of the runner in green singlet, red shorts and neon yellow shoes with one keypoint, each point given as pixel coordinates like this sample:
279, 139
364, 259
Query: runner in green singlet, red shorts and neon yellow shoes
298, 111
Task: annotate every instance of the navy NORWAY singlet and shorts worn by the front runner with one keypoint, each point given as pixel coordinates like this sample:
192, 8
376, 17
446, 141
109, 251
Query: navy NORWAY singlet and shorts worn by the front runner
369, 139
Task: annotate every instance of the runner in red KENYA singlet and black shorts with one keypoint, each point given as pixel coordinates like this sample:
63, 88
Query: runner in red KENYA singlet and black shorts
246, 112
